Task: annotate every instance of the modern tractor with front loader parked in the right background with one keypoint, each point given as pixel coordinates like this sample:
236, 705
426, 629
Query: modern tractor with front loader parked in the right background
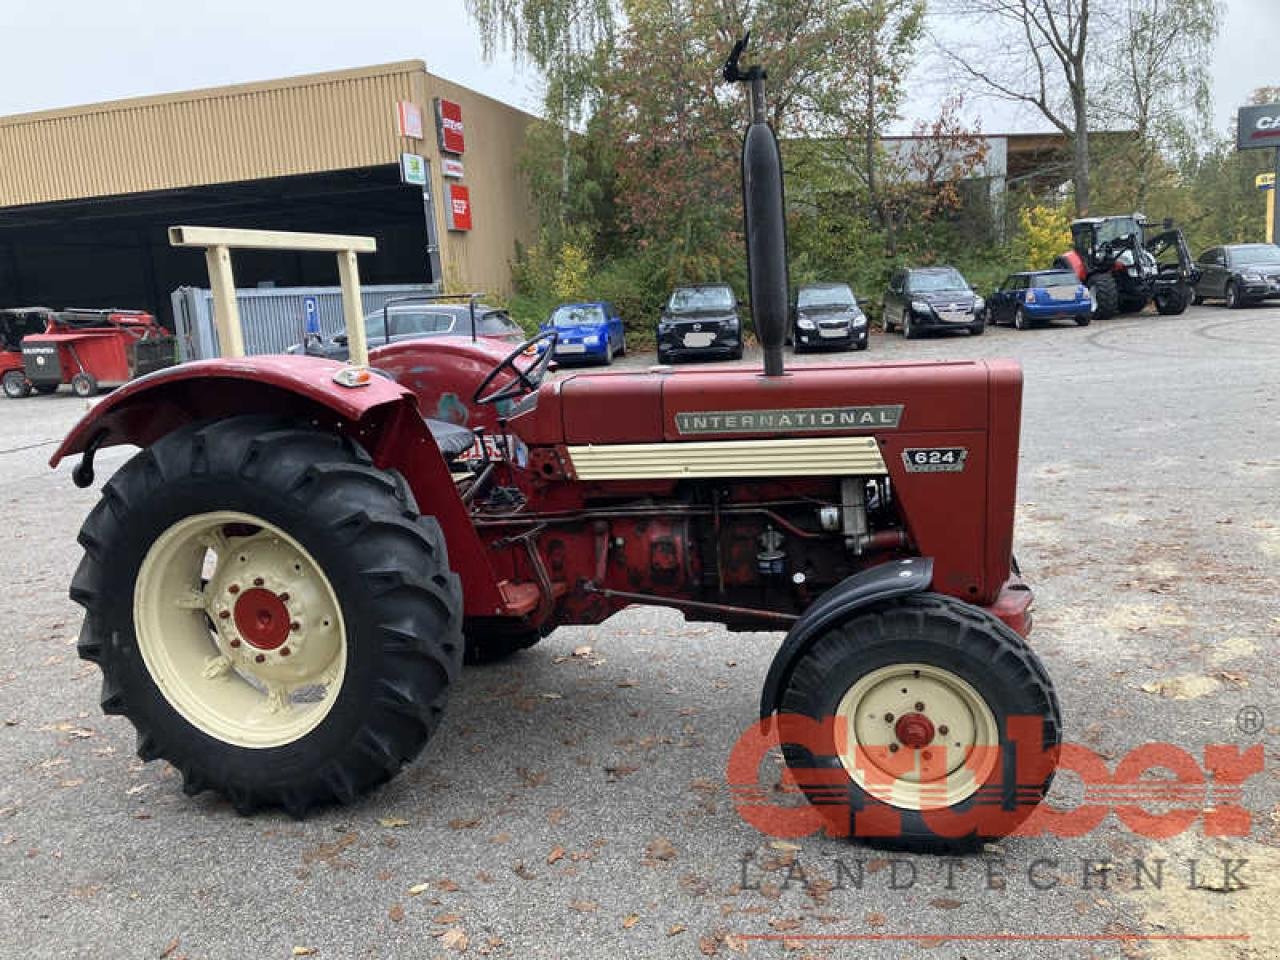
1126, 269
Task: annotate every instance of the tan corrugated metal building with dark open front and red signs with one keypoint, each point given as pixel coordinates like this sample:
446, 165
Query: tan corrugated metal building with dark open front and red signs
392, 152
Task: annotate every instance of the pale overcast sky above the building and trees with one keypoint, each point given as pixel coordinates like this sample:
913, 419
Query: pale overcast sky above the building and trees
107, 49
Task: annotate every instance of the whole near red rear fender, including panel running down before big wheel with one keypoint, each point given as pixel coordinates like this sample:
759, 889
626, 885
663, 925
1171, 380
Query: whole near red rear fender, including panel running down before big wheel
382, 417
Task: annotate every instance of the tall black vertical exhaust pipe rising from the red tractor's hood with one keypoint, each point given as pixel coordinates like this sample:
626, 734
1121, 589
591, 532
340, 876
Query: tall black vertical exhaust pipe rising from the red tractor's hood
764, 213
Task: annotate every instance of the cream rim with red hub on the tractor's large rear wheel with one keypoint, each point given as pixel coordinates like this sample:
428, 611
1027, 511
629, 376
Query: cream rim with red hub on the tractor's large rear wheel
240, 629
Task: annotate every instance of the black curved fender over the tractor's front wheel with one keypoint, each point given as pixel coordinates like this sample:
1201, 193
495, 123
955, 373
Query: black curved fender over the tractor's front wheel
880, 583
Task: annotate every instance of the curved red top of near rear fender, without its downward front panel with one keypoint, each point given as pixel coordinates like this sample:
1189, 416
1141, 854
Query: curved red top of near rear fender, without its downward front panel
148, 409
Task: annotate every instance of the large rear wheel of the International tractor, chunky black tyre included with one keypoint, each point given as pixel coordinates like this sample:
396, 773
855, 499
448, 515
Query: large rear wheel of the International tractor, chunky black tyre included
271, 612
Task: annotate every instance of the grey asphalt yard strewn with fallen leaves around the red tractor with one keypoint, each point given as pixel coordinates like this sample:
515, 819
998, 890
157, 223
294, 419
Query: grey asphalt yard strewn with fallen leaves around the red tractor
575, 806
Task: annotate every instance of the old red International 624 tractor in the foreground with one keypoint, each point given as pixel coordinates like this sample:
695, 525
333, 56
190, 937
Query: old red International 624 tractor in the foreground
284, 584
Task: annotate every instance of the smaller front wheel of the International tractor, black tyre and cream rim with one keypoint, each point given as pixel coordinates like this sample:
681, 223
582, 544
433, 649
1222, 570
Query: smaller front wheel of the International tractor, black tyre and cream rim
945, 676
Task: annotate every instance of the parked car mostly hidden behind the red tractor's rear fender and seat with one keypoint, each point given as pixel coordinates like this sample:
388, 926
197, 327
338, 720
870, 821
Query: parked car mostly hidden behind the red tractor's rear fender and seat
408, 319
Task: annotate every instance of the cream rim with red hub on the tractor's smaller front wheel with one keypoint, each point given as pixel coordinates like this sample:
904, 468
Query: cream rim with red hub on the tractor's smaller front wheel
917, 737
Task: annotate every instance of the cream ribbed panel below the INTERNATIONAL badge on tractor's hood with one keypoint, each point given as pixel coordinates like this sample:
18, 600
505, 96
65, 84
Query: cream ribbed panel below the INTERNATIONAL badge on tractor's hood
816, 456
